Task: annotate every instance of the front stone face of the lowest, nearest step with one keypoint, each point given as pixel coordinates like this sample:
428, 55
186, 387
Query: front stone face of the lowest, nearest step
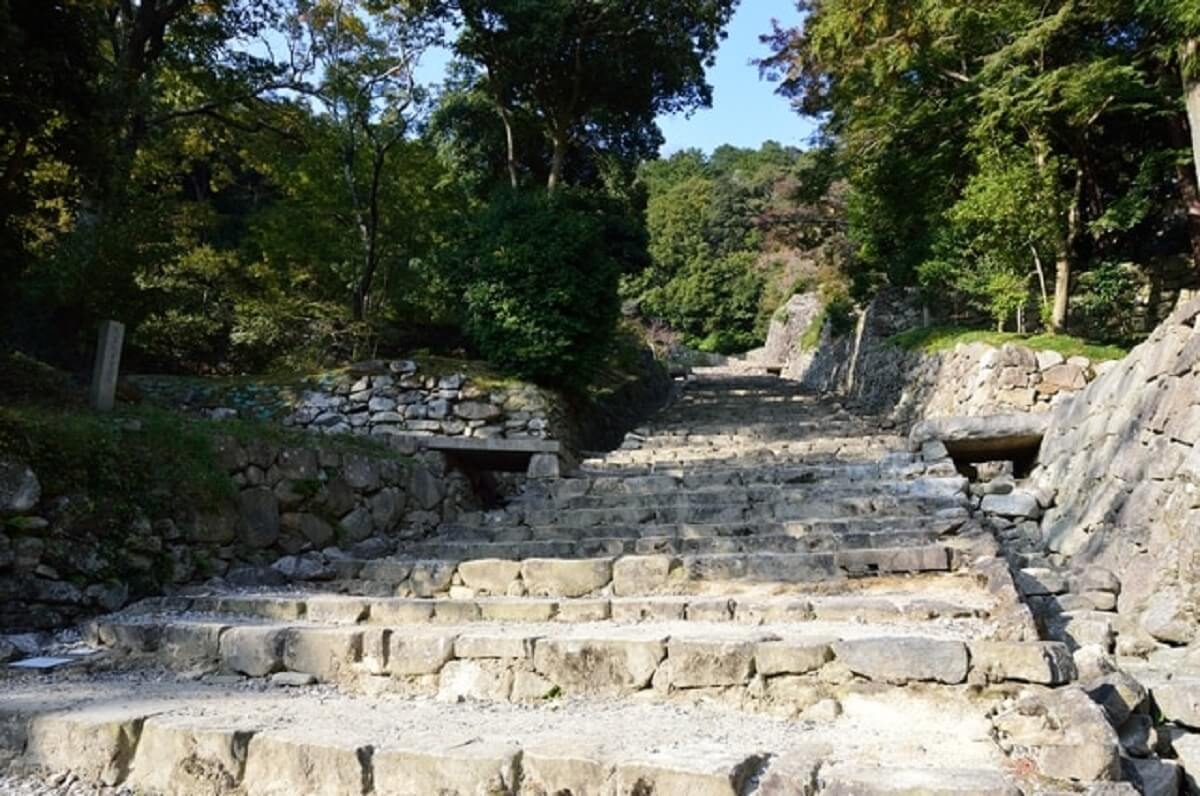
165, 750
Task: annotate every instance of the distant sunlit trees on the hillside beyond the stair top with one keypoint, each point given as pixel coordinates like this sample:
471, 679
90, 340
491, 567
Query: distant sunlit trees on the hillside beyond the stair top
731, 237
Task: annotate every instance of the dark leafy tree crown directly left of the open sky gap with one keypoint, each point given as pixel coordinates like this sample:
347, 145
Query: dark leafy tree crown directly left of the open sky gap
590, 76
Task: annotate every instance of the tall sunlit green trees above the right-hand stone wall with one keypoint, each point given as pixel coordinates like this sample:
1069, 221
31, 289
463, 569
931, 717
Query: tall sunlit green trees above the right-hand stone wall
945, 112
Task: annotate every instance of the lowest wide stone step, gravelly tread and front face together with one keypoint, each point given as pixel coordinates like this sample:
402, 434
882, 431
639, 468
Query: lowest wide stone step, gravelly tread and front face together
193, 739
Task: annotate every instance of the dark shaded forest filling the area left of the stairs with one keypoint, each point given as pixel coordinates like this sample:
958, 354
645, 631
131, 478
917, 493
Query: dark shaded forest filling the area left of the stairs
279, 184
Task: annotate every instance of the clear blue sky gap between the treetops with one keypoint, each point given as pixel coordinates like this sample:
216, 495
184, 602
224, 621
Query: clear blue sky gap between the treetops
746, 111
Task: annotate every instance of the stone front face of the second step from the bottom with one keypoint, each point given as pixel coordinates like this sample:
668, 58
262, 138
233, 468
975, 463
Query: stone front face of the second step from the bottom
533, 667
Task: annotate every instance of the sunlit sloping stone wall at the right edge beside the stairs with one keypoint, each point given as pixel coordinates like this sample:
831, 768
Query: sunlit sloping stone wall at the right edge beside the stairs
1124, 462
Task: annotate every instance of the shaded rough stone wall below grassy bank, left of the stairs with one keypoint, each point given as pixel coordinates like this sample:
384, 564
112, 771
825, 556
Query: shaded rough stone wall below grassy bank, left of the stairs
290, 511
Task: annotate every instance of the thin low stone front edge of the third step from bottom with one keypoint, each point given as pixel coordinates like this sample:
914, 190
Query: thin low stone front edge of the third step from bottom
347, 611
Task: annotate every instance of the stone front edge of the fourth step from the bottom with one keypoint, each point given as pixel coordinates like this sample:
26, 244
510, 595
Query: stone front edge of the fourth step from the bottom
639, 576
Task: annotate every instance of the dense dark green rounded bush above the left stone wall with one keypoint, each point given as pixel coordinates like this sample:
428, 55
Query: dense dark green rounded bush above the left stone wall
544, 272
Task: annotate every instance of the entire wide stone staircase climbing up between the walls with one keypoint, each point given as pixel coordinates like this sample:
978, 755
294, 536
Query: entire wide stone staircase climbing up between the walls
758, 595
